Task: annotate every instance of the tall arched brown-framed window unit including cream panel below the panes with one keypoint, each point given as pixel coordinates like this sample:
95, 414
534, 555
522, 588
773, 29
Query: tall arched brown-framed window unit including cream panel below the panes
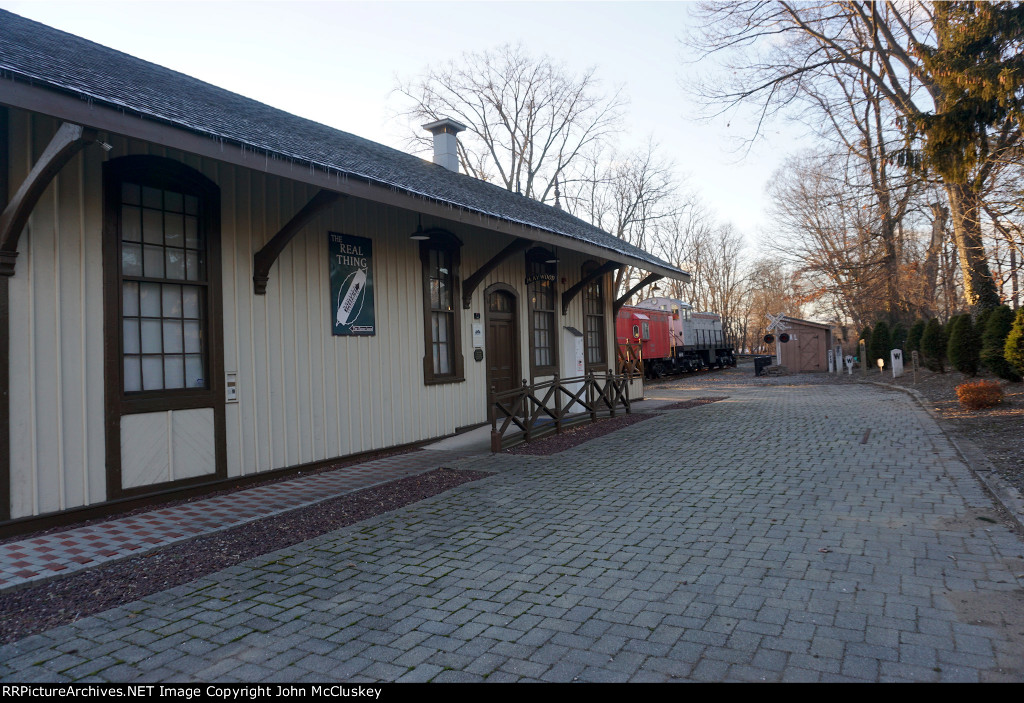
164, 350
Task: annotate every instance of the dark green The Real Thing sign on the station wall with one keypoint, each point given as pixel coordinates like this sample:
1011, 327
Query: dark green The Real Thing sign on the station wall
352, 285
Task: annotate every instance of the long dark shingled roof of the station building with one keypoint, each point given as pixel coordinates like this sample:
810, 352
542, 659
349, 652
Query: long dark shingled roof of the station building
49, 59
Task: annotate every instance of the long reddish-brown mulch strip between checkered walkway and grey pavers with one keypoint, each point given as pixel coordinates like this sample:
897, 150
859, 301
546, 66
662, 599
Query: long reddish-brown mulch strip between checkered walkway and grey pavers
38, 608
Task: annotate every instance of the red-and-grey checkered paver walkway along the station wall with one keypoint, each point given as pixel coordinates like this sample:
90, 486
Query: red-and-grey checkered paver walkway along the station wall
38, 558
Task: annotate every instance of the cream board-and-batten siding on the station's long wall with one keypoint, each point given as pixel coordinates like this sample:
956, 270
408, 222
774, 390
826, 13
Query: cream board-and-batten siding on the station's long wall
305, 396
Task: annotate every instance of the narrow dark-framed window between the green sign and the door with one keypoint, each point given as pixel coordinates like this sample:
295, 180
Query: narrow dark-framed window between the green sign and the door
443, 362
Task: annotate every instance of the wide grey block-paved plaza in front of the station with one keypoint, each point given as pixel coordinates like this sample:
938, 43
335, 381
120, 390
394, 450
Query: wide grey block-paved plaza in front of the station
767, 537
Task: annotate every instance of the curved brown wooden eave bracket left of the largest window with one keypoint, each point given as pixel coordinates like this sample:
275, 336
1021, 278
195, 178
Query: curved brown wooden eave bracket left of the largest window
69, 141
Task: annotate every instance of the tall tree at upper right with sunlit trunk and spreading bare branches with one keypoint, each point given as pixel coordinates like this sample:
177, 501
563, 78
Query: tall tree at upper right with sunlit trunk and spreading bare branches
783, 53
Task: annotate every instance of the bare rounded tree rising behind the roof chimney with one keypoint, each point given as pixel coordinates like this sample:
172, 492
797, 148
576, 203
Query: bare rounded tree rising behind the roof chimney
530, 120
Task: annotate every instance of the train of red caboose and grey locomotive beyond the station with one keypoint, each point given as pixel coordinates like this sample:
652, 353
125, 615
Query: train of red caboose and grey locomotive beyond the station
672, 338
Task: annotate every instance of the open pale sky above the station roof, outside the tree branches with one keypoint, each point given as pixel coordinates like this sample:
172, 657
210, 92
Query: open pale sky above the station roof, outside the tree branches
338, 63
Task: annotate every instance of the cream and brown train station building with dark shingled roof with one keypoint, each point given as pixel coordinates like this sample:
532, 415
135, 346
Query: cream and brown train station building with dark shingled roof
196, 287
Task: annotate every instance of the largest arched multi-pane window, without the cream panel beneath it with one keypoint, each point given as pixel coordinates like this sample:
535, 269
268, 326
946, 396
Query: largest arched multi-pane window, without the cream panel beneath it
163, 294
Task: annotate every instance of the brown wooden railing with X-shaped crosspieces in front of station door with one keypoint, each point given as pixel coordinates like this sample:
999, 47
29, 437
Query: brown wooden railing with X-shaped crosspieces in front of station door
532, 412
